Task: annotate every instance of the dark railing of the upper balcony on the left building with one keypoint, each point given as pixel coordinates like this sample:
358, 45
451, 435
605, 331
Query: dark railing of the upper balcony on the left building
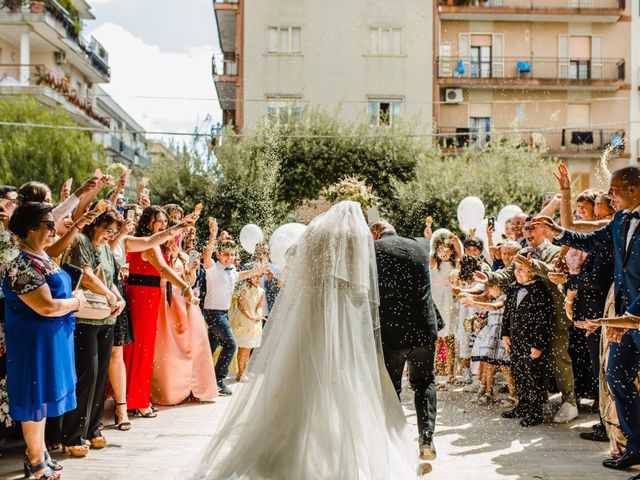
91, 49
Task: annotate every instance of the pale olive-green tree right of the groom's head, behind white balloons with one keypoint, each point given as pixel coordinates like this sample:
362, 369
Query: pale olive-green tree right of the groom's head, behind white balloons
500, 174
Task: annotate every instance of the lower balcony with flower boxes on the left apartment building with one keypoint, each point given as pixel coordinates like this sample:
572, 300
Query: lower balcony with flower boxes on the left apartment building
51, 90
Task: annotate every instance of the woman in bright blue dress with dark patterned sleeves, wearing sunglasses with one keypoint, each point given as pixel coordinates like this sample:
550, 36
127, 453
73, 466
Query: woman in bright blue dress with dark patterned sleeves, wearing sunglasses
39, 326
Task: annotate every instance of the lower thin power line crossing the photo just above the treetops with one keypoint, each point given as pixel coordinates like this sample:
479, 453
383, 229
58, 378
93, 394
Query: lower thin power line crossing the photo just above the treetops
513, 131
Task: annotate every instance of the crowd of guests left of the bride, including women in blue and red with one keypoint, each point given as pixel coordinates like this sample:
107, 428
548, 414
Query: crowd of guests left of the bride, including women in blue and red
107, 299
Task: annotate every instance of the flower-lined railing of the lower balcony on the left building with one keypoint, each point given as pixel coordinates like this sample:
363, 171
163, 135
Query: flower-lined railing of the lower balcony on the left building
14, 75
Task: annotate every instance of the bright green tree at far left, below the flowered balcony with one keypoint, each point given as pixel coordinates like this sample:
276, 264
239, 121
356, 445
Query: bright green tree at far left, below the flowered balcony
48, 155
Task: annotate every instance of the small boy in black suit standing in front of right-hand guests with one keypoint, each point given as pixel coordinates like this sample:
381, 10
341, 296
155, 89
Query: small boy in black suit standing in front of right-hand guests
526, 333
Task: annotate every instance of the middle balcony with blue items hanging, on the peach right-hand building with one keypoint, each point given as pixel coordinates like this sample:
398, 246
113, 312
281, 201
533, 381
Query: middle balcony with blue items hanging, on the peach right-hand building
521, 73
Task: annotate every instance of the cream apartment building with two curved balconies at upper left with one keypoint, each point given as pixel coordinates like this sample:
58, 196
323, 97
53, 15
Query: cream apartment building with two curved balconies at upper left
44, 54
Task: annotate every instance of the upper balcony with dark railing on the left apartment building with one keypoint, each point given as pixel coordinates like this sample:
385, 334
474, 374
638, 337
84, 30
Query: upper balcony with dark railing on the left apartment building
55, 27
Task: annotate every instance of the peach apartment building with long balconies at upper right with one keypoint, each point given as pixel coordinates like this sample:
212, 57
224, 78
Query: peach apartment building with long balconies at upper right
550, 72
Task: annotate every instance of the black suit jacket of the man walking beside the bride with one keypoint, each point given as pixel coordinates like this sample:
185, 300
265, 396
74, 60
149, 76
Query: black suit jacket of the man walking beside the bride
408, 316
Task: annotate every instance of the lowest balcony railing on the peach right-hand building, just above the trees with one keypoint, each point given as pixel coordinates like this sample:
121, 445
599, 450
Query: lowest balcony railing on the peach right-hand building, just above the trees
567, 140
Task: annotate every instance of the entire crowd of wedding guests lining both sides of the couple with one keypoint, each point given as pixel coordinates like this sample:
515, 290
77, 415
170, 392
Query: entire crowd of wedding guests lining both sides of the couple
106, 299
